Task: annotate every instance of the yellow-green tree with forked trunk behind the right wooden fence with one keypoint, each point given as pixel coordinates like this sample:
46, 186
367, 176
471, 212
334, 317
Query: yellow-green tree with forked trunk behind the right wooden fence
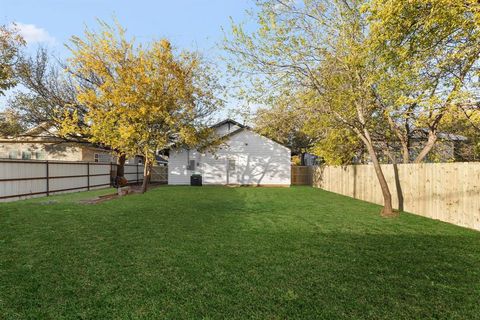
429, 55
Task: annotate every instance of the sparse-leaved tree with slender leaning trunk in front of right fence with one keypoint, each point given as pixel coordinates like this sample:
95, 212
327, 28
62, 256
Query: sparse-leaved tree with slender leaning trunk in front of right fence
317, 46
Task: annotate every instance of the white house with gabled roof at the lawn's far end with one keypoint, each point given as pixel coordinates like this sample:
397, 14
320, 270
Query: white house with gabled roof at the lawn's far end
245, 158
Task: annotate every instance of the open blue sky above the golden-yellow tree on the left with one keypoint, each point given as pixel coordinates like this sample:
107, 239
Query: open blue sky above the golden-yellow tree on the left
188, 24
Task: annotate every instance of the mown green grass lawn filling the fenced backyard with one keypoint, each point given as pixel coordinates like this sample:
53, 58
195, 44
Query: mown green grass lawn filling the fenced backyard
235, 253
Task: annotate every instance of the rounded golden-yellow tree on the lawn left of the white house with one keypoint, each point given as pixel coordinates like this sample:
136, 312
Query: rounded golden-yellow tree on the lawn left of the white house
139, 99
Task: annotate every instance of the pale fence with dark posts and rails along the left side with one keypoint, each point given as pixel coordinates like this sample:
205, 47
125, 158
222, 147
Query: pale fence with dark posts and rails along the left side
29, 178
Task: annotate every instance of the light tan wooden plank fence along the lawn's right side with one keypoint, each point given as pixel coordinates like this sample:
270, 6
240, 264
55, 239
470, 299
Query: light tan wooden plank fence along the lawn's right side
445, 191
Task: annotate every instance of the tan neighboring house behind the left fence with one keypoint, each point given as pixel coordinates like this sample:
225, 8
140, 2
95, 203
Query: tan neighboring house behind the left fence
41, 143
